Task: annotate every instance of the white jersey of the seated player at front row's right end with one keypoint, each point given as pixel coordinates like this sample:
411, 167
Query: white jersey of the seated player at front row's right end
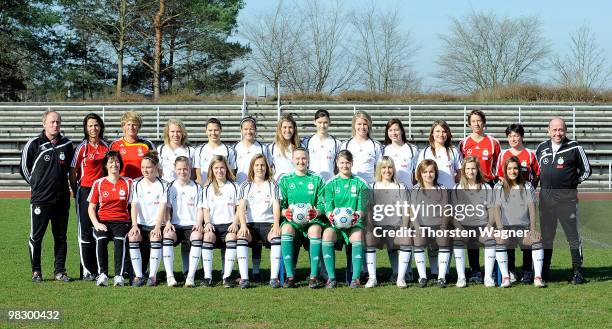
515, 206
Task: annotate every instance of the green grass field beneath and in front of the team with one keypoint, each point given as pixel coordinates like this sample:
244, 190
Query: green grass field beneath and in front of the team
84, 305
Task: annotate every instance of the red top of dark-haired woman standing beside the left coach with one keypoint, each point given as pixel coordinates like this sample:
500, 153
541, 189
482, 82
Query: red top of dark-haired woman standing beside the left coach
87, 161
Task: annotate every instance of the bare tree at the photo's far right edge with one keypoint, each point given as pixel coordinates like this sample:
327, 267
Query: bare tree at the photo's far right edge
585, 65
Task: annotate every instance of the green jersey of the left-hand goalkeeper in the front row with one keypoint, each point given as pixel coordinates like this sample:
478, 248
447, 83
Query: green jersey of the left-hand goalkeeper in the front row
302, 189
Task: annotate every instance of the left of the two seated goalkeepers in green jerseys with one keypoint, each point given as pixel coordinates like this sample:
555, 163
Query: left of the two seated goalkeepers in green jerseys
302, 186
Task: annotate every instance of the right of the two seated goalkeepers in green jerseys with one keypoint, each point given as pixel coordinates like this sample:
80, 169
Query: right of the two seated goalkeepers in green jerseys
345, 190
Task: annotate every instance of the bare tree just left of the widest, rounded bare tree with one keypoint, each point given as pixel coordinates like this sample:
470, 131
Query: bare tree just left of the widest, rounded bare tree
384, 52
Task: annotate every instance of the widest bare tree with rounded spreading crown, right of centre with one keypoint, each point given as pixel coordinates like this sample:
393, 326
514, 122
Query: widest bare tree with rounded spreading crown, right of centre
482, 51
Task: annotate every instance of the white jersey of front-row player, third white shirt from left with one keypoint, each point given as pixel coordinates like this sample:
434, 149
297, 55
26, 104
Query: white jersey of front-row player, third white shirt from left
222, 207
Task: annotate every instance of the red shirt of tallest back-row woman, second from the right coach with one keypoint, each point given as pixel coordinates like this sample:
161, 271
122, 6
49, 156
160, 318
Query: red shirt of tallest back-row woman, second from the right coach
487, 150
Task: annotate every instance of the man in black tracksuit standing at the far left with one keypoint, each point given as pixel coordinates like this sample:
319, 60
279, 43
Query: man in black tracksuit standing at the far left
45, 164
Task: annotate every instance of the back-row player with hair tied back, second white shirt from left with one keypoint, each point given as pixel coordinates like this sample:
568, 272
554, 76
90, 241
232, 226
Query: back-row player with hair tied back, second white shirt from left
205, 152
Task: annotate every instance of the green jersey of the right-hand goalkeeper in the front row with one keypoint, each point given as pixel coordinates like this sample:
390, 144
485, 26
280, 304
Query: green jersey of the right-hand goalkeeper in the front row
346, 193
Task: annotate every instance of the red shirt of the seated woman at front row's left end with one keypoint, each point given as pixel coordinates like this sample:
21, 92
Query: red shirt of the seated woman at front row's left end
112, 199
